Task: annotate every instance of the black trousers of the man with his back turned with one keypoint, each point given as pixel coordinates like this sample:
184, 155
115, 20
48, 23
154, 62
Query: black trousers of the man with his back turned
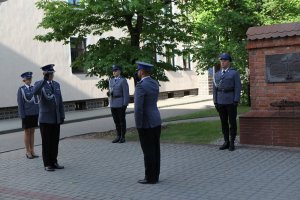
150, 143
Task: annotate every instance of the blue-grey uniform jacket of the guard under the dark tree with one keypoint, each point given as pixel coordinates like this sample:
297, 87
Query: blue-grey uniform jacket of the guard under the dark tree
120, 90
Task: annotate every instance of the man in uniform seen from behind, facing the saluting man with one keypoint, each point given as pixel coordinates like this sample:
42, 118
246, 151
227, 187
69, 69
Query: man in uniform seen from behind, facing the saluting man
148, 121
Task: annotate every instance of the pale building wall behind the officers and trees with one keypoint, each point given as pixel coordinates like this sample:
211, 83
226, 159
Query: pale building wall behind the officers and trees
19, 53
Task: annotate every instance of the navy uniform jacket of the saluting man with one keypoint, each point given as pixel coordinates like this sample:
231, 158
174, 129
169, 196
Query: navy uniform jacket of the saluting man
51, 102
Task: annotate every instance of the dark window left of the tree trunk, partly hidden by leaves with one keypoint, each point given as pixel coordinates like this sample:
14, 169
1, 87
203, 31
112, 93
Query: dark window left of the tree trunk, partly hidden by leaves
78, 47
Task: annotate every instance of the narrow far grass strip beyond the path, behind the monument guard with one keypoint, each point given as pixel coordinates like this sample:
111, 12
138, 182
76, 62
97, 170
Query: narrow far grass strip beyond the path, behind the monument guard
211, 112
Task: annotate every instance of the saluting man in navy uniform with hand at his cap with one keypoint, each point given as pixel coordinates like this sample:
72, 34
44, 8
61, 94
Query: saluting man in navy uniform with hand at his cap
51, 116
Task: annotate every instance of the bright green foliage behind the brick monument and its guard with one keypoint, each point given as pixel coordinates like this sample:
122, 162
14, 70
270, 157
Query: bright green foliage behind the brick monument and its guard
221, 26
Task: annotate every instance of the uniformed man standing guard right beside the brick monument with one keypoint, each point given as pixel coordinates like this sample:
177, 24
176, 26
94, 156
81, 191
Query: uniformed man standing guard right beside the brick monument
226, 96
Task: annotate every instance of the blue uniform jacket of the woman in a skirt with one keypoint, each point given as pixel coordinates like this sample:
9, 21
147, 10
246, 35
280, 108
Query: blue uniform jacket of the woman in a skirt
27, 103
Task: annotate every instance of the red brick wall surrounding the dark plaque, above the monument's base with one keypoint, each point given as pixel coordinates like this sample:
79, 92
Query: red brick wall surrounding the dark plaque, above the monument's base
263, 93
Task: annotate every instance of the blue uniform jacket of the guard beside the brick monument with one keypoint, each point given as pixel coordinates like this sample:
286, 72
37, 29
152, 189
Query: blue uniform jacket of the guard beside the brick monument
227, 87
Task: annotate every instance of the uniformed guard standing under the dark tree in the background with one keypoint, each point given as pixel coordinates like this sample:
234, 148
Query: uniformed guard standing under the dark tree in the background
119, 98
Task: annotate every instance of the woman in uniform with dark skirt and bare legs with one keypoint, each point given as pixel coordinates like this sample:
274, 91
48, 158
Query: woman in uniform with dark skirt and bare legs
28, 111
